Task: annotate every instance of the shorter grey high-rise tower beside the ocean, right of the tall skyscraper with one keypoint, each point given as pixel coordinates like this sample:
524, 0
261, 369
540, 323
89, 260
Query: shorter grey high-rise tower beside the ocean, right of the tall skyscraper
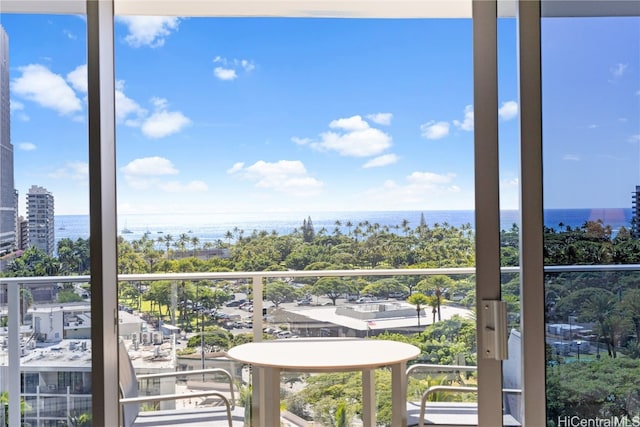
40, 216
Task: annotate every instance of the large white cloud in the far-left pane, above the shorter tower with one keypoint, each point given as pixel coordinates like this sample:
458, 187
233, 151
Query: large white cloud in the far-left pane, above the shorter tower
38, 84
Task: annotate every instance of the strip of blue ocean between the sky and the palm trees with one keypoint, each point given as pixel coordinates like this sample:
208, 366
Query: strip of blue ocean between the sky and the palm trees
214, 226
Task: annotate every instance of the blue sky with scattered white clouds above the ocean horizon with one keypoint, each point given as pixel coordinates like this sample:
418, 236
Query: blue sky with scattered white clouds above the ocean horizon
251, 114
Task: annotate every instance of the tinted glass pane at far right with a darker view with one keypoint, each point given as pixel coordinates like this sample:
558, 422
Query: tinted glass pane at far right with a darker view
591, 117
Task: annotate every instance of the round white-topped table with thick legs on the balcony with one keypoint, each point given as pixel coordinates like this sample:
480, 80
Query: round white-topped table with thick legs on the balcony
327, 355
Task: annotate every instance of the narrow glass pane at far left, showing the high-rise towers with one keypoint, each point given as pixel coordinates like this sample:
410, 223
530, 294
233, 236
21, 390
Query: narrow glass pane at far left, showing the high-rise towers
44, 223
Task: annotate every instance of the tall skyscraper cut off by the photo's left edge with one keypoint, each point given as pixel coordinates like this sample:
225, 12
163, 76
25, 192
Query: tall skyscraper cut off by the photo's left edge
8, 211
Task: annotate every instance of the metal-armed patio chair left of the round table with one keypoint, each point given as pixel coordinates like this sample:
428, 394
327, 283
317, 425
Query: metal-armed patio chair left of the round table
224, 414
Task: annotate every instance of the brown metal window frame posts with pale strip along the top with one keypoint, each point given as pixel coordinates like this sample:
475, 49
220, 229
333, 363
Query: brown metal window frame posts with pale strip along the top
103, 208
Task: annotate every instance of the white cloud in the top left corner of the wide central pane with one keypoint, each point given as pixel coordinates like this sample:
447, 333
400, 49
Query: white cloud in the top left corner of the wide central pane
148, 30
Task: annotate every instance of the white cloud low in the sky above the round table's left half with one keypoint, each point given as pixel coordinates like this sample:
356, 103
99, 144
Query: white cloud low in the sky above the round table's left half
285, 176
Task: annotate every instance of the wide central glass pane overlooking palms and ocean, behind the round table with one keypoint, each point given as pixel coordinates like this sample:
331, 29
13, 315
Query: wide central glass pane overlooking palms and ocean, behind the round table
288, 145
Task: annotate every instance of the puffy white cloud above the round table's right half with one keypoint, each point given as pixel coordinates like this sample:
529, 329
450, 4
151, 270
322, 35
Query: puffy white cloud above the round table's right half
353, 137
